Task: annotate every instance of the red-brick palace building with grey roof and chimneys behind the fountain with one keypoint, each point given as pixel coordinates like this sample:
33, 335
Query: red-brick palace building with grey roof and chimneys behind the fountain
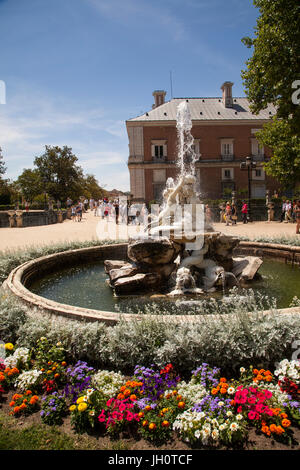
224, 135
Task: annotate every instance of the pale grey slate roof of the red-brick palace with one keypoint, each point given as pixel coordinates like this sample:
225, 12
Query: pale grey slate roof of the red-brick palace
206, 109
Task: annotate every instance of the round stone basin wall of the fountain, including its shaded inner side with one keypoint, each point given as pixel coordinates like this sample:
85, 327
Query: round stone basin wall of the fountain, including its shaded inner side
19, 279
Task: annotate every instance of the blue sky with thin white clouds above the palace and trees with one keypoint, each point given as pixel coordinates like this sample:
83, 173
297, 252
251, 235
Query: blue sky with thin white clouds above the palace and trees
75, 70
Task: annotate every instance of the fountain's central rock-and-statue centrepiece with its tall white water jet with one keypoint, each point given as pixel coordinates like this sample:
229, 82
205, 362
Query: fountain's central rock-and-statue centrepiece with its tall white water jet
179, 253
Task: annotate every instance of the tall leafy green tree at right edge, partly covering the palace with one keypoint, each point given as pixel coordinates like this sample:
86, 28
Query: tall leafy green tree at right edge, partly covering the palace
271, 77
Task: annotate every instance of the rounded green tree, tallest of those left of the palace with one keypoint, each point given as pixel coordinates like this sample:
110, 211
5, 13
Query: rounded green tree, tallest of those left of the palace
60, 174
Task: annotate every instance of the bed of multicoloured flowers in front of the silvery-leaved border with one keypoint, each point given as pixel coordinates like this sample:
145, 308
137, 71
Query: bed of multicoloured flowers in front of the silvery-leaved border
154, 403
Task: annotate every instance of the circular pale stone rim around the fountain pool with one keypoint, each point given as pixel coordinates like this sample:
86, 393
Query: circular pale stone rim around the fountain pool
15, 284
